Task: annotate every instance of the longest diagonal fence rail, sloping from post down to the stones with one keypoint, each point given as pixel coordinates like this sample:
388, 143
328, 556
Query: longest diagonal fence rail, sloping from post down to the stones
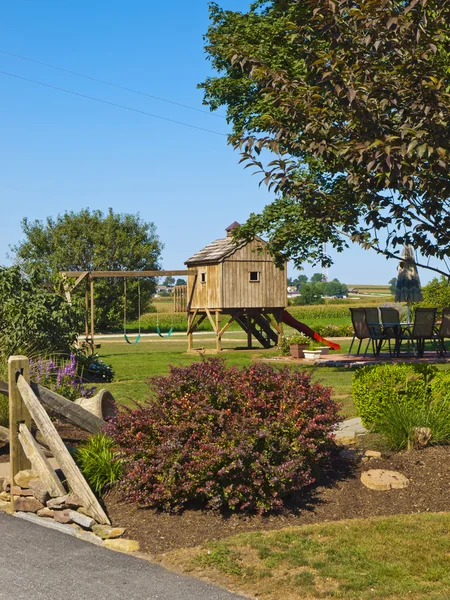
73, 475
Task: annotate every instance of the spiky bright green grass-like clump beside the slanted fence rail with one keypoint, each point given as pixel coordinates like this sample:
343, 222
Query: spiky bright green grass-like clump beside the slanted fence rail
99, 463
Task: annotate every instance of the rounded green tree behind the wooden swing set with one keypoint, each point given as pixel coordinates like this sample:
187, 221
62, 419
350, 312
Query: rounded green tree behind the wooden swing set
92, 241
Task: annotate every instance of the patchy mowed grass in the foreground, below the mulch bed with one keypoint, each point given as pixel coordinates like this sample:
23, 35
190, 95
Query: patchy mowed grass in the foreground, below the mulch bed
399, 557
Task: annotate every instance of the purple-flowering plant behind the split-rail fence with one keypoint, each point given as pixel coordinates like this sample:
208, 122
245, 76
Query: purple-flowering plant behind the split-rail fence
60, 375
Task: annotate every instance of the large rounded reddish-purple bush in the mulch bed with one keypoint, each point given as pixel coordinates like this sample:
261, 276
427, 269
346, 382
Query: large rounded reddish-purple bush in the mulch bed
226, 438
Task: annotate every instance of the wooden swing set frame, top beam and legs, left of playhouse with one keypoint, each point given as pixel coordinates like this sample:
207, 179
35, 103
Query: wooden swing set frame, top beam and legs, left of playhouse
89, 276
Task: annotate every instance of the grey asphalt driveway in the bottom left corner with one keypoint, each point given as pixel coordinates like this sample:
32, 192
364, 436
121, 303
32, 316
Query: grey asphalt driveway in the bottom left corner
37, 563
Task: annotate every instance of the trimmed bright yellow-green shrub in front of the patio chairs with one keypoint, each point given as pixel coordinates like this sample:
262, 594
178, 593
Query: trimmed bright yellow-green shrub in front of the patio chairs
376, 388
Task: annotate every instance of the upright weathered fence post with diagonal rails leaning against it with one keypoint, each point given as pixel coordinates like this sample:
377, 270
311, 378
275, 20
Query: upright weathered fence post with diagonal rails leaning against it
18, 413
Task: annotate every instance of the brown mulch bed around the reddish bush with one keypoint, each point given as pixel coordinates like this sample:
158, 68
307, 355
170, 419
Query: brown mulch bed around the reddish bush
339, 495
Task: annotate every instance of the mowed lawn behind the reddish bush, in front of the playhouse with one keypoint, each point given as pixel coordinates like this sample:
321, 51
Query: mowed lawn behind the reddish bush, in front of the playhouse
135, 364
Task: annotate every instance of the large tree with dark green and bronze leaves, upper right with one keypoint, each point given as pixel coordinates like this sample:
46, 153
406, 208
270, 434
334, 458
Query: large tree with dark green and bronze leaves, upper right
343, 107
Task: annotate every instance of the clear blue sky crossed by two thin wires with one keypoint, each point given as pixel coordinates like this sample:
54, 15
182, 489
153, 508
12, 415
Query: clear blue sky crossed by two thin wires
63, 152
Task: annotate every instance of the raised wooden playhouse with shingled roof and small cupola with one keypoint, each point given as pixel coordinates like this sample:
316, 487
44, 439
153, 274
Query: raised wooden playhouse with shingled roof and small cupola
240, 280
